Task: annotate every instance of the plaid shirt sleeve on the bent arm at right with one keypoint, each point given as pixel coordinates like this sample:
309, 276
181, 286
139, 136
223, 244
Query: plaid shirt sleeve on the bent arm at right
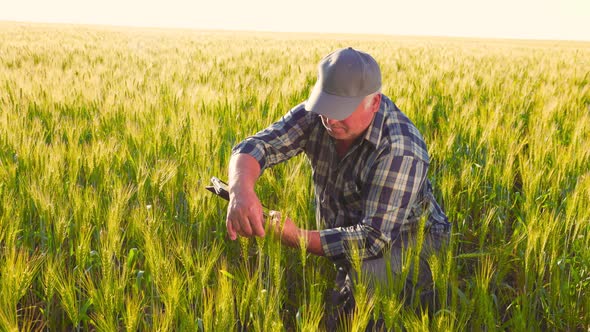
392, 188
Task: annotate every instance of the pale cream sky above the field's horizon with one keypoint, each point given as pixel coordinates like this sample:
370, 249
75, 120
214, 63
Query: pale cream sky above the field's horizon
527, 19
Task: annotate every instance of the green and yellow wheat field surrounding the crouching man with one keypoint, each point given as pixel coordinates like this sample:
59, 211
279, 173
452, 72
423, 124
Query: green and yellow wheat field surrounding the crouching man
108, 137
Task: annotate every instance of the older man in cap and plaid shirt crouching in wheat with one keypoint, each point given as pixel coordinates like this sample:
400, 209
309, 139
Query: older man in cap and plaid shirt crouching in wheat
369, 166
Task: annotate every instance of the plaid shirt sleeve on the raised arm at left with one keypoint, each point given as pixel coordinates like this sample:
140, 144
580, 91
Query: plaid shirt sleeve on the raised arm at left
280, 141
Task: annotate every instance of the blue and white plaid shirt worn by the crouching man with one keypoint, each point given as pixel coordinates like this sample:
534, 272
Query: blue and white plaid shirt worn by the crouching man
377, 190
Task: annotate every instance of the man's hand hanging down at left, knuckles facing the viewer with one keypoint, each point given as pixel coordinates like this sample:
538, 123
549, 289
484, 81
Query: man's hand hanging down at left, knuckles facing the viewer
244, 214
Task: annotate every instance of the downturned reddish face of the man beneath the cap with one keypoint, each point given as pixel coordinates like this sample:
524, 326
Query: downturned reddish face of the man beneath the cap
355, 125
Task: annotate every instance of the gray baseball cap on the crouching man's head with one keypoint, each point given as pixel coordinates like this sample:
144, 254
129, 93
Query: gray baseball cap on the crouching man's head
345, 77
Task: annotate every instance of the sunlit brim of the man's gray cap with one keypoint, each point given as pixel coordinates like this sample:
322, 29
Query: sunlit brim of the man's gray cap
331, 106
